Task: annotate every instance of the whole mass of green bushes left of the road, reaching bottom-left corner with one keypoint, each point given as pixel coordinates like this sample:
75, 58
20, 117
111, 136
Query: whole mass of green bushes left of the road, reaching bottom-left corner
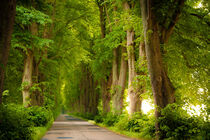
18, 122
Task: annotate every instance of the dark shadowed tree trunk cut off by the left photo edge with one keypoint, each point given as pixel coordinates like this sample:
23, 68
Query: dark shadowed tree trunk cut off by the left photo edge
7, 16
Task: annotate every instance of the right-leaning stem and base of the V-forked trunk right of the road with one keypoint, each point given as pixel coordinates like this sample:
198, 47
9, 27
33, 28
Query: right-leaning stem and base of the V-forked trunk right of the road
117, 98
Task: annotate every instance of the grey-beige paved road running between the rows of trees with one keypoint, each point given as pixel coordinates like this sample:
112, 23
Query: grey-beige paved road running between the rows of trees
69, 128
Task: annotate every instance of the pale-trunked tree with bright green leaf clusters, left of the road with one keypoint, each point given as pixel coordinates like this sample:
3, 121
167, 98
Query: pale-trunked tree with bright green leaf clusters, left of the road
26, 38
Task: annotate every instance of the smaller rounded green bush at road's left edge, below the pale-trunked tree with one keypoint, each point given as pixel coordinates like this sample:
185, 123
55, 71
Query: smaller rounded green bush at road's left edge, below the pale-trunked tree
39, 116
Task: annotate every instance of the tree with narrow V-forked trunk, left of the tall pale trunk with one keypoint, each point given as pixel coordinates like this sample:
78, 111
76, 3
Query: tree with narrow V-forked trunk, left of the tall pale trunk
119, 69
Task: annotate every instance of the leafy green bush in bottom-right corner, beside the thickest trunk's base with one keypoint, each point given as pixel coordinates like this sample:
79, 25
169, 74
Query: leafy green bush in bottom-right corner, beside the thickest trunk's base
176, 123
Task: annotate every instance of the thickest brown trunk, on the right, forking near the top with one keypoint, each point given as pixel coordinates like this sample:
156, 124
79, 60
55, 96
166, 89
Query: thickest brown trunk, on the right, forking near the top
156, 34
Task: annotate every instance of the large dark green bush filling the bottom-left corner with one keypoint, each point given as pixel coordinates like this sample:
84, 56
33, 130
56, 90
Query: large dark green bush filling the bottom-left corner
14, 123
